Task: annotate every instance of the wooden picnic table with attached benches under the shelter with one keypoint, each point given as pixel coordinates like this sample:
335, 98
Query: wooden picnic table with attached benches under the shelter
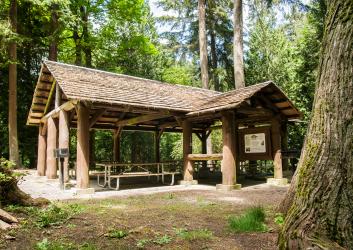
127, 170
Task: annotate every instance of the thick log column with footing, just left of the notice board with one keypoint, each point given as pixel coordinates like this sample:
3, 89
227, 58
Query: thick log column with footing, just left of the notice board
228, 166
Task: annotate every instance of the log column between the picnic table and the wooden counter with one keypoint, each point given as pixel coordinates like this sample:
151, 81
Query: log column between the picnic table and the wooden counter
187, 149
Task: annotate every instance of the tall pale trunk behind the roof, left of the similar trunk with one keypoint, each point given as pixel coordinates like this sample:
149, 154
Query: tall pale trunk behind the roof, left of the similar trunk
203, 44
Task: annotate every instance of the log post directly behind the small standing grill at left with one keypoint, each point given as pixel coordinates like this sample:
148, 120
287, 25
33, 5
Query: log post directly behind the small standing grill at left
64, 139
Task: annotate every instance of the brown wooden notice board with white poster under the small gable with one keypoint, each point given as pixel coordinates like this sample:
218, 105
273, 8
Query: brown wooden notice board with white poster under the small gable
255, 143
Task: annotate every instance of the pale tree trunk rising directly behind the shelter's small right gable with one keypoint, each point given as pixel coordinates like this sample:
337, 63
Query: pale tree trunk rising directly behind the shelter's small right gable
239, 77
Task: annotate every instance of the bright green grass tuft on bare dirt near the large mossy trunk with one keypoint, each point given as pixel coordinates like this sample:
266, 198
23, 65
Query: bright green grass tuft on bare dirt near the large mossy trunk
253, 220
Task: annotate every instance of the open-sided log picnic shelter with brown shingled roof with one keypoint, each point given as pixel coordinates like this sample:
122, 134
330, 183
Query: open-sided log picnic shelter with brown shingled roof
68, 96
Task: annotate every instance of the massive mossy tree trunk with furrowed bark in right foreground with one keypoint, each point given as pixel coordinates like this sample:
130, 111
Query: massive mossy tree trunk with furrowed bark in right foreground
321, 214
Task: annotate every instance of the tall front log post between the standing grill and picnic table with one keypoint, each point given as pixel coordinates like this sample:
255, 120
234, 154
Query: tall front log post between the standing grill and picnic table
82, 146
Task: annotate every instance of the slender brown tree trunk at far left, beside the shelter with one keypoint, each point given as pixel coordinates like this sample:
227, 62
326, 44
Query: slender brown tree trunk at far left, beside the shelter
13, 139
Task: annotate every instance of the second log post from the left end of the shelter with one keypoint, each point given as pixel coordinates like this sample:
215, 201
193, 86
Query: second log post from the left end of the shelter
51, 146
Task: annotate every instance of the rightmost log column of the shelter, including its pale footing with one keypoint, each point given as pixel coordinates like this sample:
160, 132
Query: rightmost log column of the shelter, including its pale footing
276, 154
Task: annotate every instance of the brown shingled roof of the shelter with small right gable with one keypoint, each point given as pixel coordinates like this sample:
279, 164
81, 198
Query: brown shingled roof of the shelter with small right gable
95, 86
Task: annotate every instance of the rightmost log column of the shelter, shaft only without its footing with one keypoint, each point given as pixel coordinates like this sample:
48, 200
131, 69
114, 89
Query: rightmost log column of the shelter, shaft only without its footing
276, 148
